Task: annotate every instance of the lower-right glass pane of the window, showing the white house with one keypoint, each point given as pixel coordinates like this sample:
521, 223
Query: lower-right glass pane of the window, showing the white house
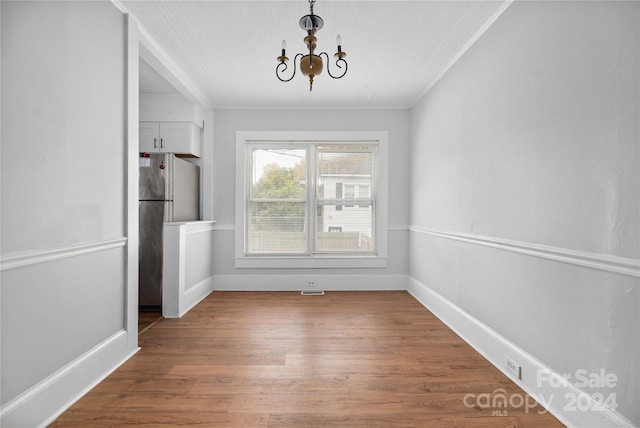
348, 230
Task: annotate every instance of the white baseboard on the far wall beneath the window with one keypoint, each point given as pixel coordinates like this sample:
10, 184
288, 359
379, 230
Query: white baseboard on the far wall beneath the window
343, 282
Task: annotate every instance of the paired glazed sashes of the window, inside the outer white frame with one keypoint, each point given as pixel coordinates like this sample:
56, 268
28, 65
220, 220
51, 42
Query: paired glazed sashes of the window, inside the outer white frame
291, 203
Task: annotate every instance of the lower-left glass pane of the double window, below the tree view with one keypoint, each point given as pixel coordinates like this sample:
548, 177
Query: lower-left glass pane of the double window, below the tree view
277, 227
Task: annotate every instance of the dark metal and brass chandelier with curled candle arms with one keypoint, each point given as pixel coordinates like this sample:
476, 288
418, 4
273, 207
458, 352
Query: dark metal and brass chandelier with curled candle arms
311, 64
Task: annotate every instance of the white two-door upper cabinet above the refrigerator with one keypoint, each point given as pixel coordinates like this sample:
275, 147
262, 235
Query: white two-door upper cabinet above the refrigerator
170, 137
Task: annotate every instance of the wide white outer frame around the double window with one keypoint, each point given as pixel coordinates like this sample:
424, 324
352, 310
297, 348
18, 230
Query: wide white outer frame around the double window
378, 260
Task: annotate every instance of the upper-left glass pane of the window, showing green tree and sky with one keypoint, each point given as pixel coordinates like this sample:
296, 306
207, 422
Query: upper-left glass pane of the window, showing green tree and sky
278, 174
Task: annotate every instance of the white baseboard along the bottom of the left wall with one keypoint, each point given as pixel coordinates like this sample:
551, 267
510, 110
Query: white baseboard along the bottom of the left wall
43, 403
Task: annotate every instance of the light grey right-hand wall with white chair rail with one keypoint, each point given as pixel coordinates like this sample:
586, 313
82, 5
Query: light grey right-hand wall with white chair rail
525, 153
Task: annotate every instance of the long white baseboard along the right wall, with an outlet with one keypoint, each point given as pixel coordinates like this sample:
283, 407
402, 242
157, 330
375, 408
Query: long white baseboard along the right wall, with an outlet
559, 399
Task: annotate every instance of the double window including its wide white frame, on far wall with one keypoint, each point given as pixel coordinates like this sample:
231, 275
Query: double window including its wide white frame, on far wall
309, 199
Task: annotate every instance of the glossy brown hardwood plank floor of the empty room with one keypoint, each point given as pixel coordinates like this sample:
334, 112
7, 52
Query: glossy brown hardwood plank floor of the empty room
279, 359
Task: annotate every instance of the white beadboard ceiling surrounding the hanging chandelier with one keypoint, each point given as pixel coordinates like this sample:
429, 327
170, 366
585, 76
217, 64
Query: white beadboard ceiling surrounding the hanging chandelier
396, 50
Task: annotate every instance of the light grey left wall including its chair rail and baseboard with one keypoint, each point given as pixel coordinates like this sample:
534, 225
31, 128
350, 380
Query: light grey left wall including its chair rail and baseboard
64, 204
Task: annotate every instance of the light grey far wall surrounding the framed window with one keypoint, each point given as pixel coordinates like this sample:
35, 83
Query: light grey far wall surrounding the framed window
227, 122
